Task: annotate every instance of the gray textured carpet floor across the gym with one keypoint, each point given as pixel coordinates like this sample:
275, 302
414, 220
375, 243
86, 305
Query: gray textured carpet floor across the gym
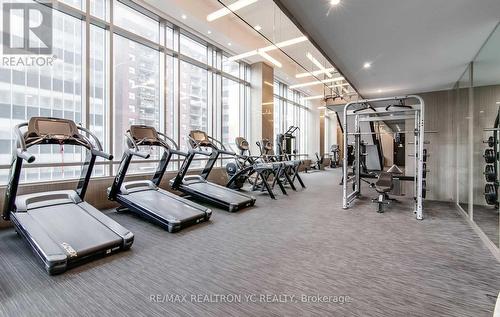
387, 264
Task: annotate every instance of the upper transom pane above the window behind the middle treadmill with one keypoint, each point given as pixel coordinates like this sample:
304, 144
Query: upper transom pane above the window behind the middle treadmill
134, 21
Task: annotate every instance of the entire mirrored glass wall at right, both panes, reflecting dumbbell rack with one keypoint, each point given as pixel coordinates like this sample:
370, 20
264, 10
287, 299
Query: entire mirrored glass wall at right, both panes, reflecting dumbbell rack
478, 145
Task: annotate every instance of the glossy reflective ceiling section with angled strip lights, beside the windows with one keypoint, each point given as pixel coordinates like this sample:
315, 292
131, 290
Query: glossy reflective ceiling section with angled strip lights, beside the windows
276, 26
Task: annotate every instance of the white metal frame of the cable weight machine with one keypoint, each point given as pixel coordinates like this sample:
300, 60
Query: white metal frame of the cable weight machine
370, 110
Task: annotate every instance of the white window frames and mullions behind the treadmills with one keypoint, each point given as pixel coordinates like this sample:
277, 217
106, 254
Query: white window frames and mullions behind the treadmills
167, 50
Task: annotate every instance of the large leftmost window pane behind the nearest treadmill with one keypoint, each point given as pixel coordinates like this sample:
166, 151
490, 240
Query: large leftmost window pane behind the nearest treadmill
49, 91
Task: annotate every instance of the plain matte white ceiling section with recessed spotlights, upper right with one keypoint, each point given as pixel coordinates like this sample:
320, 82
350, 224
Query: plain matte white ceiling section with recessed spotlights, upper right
413, 45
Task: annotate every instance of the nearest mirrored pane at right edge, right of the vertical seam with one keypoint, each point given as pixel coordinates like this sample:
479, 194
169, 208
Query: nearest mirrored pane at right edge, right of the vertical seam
486, 101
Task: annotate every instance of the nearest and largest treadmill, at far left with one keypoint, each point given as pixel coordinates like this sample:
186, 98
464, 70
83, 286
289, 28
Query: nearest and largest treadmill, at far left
60, 227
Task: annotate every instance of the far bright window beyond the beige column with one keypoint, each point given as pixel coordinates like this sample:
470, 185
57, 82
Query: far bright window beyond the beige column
290, 109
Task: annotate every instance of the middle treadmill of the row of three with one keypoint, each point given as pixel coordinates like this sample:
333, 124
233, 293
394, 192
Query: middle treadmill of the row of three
144, 197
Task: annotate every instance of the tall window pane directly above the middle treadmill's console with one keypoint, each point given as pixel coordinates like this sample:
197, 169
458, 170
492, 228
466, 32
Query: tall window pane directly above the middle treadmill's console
143, 97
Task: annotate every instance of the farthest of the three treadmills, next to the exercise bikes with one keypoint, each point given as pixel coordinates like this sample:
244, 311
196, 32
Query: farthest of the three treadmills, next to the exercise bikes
198, 186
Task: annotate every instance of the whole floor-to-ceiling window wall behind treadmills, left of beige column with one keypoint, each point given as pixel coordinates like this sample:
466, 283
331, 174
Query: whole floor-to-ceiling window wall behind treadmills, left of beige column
141, 69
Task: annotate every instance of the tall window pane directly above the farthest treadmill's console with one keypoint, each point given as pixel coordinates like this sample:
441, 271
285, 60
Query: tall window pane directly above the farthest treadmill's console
193, 114
